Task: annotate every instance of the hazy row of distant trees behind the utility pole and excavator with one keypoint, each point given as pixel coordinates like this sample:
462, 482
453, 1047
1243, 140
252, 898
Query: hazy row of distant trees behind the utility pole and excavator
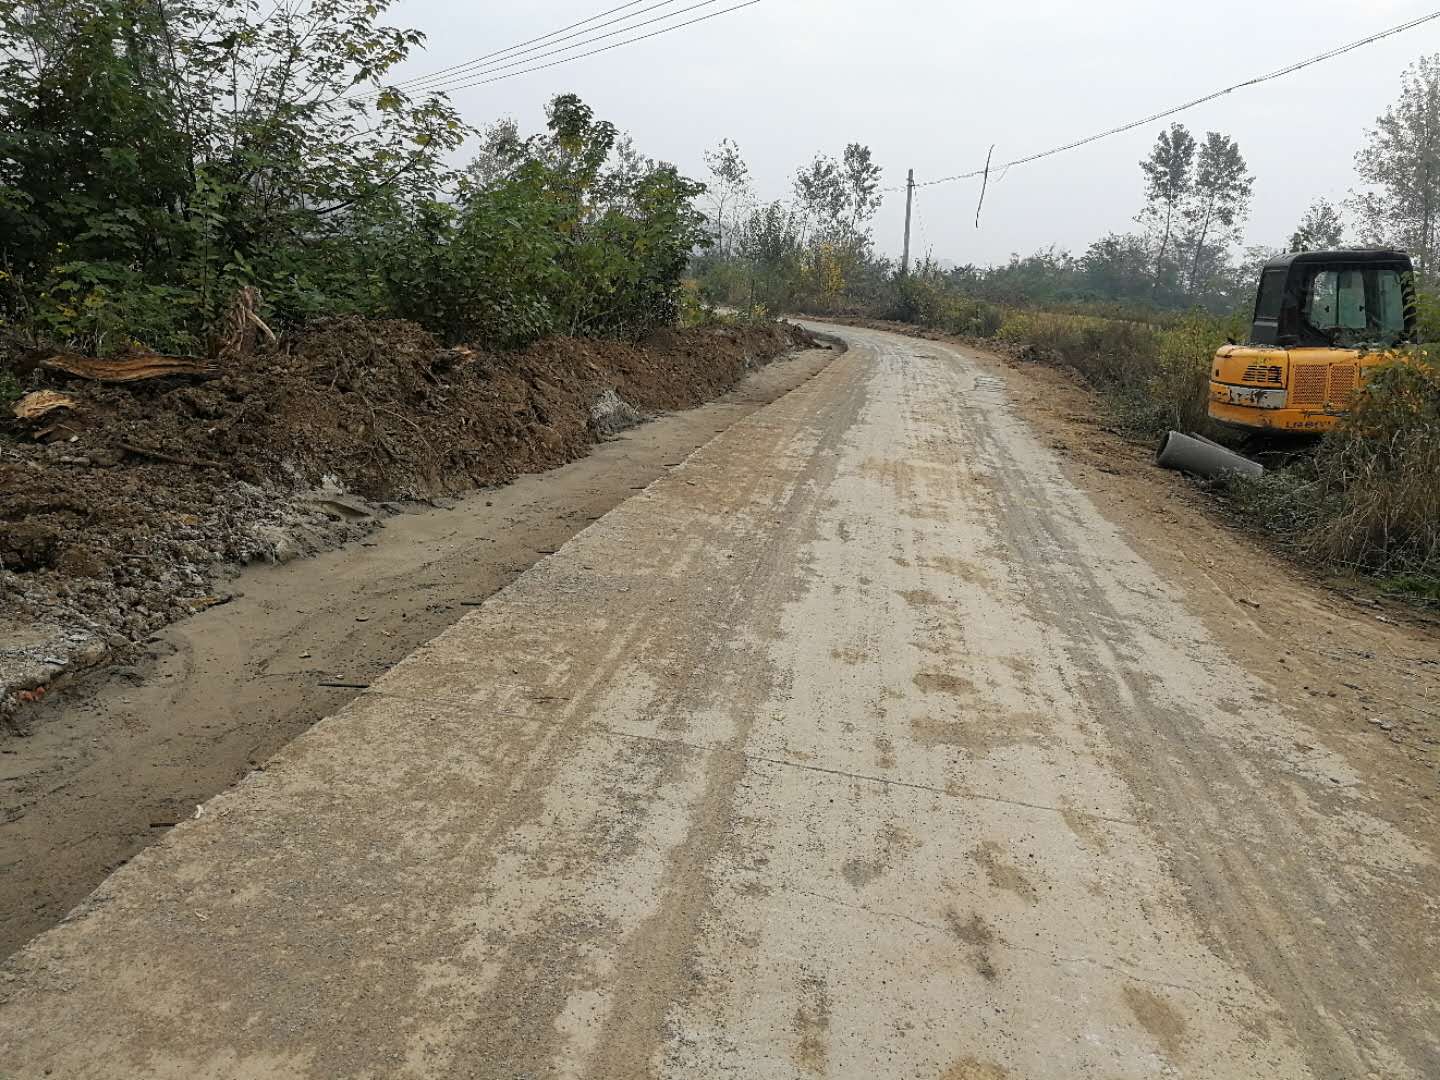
816, 250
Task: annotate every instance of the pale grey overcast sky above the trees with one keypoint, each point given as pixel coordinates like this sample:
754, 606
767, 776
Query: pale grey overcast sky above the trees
930, 86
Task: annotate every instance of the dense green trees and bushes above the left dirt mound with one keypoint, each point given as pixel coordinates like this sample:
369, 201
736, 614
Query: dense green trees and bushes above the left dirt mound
159, 159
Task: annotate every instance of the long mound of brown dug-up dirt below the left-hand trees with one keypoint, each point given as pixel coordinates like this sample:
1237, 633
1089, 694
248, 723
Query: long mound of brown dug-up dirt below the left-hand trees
120, 513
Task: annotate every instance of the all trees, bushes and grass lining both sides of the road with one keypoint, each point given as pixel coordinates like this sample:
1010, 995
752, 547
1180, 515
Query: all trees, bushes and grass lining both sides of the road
198, 176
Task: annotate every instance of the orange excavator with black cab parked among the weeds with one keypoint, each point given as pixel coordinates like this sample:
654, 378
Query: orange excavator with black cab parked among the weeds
1323, 320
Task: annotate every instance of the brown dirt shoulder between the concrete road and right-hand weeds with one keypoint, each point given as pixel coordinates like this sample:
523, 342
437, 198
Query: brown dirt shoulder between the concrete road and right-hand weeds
1367, 675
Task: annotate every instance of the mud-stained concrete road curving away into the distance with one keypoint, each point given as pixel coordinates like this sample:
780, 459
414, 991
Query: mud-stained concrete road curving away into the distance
862, 745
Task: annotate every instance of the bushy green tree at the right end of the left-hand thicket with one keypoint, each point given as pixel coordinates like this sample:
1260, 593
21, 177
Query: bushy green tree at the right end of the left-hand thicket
580, 234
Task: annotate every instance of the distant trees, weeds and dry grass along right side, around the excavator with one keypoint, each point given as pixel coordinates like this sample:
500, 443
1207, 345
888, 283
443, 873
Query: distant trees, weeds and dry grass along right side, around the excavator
1140, 315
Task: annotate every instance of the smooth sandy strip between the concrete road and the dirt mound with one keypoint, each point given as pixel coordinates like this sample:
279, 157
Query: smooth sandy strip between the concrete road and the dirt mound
113, 762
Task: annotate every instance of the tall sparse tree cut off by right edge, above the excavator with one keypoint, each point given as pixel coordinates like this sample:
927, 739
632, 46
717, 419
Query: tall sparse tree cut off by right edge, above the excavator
1400, 163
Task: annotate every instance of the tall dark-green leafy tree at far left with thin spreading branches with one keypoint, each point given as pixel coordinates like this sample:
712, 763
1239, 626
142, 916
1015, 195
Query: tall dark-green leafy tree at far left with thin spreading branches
156, 156
